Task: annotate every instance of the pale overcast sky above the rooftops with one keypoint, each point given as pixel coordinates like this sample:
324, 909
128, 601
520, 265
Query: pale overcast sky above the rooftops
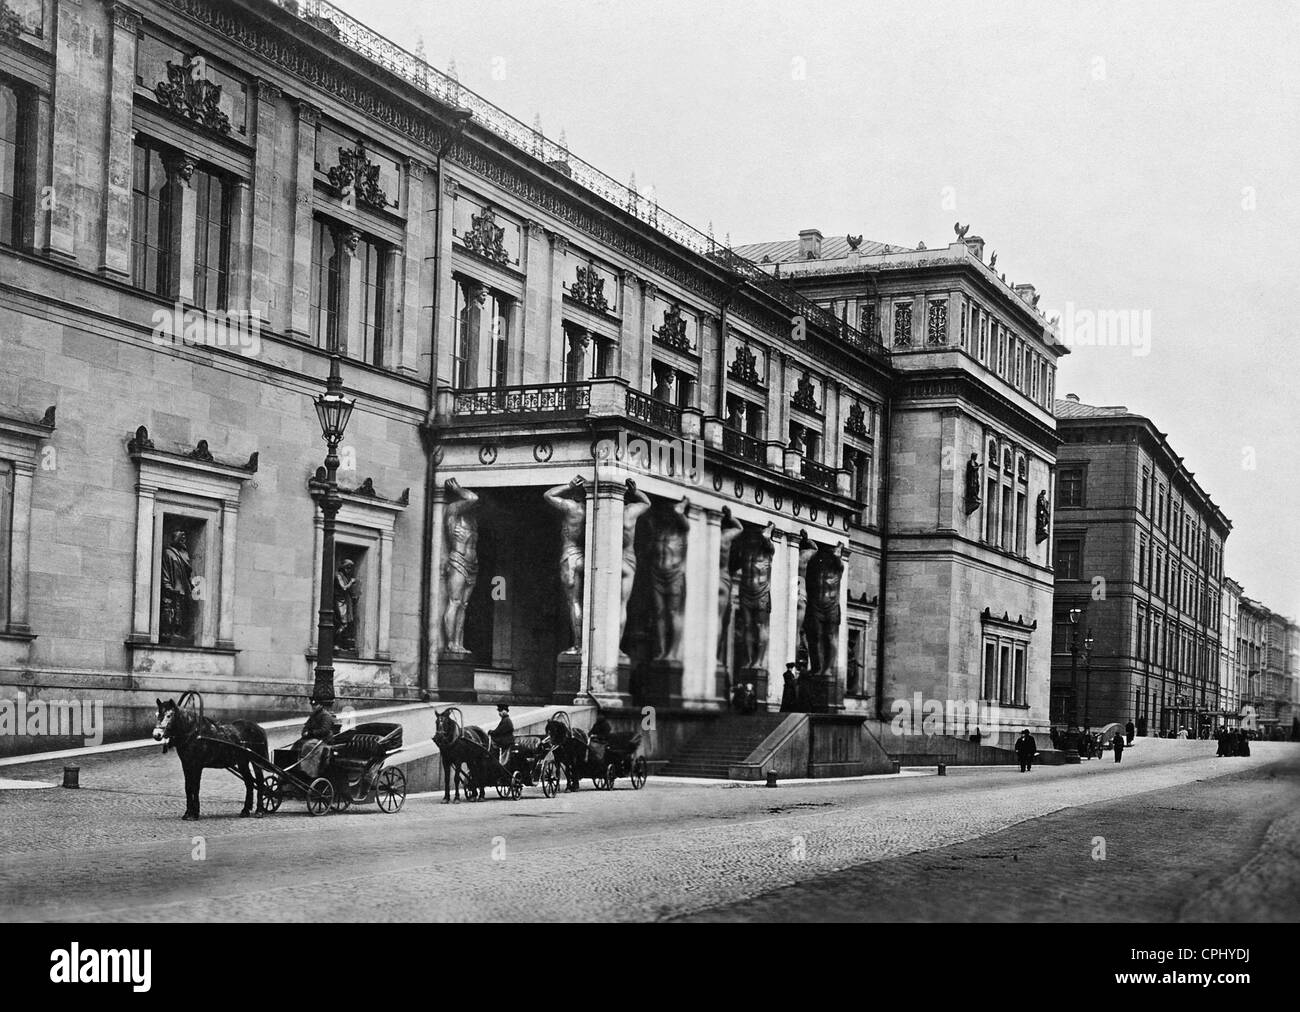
1119, 155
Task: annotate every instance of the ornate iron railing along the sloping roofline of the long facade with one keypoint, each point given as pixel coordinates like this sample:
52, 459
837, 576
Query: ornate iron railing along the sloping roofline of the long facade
365, 41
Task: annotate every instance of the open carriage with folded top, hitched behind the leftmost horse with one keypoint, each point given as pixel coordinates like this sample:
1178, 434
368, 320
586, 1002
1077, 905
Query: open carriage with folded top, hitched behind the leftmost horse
353, 772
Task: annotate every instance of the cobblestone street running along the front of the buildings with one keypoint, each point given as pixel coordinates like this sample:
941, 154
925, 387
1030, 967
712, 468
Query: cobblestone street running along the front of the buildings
1188, 836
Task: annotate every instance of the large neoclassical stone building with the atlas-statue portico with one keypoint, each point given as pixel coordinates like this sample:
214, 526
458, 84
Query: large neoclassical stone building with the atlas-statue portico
593, 455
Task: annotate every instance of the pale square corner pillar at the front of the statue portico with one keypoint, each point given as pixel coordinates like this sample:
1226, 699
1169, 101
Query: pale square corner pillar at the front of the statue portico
605, 578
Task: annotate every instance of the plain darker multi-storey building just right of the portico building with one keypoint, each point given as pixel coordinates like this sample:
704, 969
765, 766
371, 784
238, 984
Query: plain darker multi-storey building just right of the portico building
1139, 572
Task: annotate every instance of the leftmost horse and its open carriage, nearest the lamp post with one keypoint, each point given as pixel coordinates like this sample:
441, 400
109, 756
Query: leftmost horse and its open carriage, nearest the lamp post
350, 771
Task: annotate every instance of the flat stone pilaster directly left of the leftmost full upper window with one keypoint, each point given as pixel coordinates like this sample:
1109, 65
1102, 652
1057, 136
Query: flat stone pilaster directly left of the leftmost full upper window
119, 155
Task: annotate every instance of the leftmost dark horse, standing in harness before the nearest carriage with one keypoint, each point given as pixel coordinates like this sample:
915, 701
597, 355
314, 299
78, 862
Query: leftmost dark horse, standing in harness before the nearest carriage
181, 728
